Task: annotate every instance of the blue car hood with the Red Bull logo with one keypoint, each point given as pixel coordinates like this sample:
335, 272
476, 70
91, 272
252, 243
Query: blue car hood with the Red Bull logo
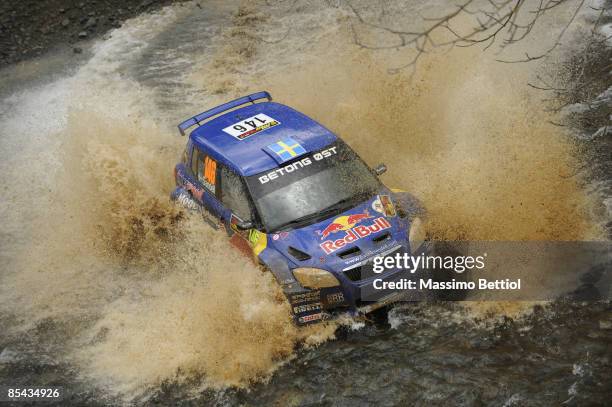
371, 228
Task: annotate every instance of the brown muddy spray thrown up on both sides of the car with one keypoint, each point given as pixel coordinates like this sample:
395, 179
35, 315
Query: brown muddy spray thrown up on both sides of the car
148, 292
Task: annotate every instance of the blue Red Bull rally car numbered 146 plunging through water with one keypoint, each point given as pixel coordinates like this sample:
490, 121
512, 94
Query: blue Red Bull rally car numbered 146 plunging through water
299, 200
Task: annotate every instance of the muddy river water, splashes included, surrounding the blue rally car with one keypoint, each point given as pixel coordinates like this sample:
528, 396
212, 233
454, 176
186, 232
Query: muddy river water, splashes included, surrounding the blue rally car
111, 291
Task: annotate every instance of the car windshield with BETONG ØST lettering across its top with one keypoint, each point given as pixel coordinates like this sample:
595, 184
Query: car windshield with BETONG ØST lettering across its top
312, 188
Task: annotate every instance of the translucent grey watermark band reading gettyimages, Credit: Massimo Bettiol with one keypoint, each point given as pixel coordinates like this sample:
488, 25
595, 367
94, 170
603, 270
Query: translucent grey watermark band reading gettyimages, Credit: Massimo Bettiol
491, 270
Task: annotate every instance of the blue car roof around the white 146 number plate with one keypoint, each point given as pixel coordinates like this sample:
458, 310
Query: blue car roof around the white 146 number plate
248, 156
